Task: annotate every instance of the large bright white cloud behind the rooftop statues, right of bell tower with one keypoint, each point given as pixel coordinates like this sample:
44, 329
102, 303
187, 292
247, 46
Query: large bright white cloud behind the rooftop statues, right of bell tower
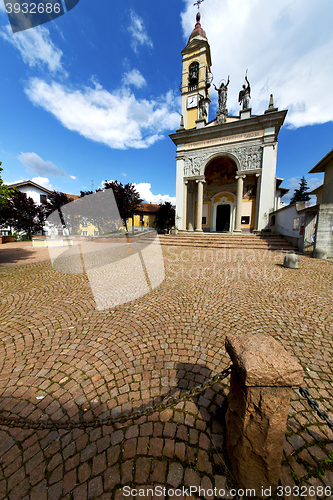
286, 46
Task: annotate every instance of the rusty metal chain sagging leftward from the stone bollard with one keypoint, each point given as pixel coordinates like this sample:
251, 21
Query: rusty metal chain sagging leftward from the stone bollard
26, 423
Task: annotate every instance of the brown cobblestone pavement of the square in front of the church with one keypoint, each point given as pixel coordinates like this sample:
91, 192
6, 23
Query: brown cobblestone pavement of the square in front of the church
61, 358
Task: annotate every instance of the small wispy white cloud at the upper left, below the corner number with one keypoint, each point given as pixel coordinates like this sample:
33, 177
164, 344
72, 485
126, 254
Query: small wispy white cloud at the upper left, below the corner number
35, 47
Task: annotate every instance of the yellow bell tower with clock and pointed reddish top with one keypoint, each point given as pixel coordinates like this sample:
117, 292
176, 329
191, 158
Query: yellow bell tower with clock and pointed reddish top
196, 78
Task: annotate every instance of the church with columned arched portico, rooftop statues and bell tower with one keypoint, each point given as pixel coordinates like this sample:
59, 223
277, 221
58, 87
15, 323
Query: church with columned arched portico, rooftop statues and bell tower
226, 168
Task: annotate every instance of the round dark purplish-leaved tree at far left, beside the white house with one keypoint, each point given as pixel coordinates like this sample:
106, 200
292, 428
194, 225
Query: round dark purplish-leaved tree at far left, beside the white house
23, 214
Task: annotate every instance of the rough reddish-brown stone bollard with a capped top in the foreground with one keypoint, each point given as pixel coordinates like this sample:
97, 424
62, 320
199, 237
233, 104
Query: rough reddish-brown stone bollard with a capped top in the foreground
258, 406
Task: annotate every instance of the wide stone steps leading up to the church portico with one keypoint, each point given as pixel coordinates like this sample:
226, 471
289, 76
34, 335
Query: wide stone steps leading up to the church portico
228, 241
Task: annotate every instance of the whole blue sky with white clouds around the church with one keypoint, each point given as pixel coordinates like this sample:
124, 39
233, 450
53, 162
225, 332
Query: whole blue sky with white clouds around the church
93, 95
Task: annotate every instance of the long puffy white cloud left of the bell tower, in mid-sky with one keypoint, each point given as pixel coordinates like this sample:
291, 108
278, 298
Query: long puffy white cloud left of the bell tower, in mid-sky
116, 119
